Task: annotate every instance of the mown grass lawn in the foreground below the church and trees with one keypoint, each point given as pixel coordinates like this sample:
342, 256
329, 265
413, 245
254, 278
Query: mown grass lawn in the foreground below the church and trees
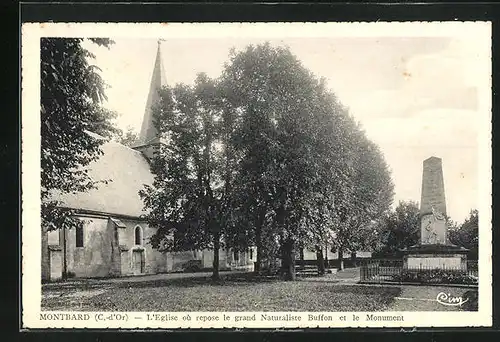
241, 292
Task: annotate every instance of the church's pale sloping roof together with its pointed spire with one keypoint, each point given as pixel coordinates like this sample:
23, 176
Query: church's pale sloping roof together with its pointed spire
126, 170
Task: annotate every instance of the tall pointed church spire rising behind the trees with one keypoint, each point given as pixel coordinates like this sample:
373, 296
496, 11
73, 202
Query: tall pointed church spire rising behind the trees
158, 80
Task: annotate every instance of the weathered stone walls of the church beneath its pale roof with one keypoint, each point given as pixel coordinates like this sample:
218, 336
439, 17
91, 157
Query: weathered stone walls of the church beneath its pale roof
110, 250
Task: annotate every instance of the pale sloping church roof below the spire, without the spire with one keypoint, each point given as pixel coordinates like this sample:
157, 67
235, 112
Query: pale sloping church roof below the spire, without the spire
127, 171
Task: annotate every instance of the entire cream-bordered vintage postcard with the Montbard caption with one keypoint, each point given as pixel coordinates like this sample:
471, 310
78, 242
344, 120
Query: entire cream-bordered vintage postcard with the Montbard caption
256, 175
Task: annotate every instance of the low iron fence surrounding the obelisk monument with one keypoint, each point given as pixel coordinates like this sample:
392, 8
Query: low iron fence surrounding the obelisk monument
393, 270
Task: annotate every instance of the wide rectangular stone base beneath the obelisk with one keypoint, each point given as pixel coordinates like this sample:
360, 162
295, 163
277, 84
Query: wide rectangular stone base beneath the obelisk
445, 257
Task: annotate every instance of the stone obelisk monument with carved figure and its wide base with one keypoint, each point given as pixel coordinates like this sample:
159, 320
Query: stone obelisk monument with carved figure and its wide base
434, 249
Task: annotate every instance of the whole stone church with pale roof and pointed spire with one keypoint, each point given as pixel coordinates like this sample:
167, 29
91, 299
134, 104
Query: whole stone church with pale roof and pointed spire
114, 239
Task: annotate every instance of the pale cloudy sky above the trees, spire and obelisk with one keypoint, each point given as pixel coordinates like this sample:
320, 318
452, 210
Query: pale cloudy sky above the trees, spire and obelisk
415, 97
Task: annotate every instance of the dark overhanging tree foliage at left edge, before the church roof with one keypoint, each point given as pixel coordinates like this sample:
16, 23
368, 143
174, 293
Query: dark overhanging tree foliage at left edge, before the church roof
72, 93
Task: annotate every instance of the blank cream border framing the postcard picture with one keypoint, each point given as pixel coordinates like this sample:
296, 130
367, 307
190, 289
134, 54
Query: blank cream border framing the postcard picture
31, 233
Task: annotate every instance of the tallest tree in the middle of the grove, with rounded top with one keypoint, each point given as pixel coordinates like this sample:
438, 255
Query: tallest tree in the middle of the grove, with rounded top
274, 96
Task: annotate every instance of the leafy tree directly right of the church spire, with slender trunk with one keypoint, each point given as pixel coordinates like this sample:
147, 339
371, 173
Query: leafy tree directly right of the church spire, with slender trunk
190, 198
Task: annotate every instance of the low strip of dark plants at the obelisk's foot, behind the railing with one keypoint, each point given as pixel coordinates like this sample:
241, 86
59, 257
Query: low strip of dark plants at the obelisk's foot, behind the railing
435, 276
